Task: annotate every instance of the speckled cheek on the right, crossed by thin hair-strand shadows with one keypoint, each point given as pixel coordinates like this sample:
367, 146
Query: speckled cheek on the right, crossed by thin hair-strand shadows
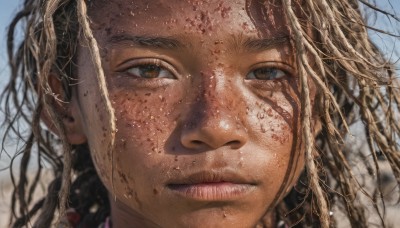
274, 120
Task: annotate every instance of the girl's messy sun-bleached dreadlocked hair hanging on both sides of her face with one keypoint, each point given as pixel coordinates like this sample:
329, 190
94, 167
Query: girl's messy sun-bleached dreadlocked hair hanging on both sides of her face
356, 83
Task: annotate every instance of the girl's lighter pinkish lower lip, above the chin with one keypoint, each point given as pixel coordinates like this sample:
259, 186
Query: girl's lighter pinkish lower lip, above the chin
218, 191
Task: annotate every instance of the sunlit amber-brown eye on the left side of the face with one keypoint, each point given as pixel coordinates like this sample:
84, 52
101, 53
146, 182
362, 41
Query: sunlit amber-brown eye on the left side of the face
150, 71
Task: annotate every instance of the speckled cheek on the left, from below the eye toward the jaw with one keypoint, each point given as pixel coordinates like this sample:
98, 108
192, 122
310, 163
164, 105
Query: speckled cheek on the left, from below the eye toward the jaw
144, 123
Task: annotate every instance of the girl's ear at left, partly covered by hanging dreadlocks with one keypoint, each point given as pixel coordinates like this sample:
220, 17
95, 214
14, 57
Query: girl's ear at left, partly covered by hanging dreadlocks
67, 111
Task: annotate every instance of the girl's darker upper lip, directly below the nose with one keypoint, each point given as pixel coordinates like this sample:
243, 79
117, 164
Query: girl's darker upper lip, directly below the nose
211, 176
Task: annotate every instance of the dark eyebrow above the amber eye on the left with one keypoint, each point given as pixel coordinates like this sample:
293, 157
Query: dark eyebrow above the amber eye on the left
147, 41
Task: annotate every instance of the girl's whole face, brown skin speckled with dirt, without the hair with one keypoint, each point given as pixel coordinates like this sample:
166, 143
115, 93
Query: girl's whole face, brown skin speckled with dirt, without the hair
205, 95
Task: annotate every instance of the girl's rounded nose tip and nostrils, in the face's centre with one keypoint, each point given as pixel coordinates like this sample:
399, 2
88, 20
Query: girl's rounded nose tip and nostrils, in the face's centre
213, 127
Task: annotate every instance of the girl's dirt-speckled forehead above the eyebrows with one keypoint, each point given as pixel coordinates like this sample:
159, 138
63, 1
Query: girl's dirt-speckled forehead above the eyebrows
206, 18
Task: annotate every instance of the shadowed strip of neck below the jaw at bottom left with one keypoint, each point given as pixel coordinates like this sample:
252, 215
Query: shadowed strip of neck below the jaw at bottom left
123, 216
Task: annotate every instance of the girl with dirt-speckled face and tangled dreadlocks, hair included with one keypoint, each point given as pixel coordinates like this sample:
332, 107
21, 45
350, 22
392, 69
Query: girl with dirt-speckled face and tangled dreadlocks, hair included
198, 113
